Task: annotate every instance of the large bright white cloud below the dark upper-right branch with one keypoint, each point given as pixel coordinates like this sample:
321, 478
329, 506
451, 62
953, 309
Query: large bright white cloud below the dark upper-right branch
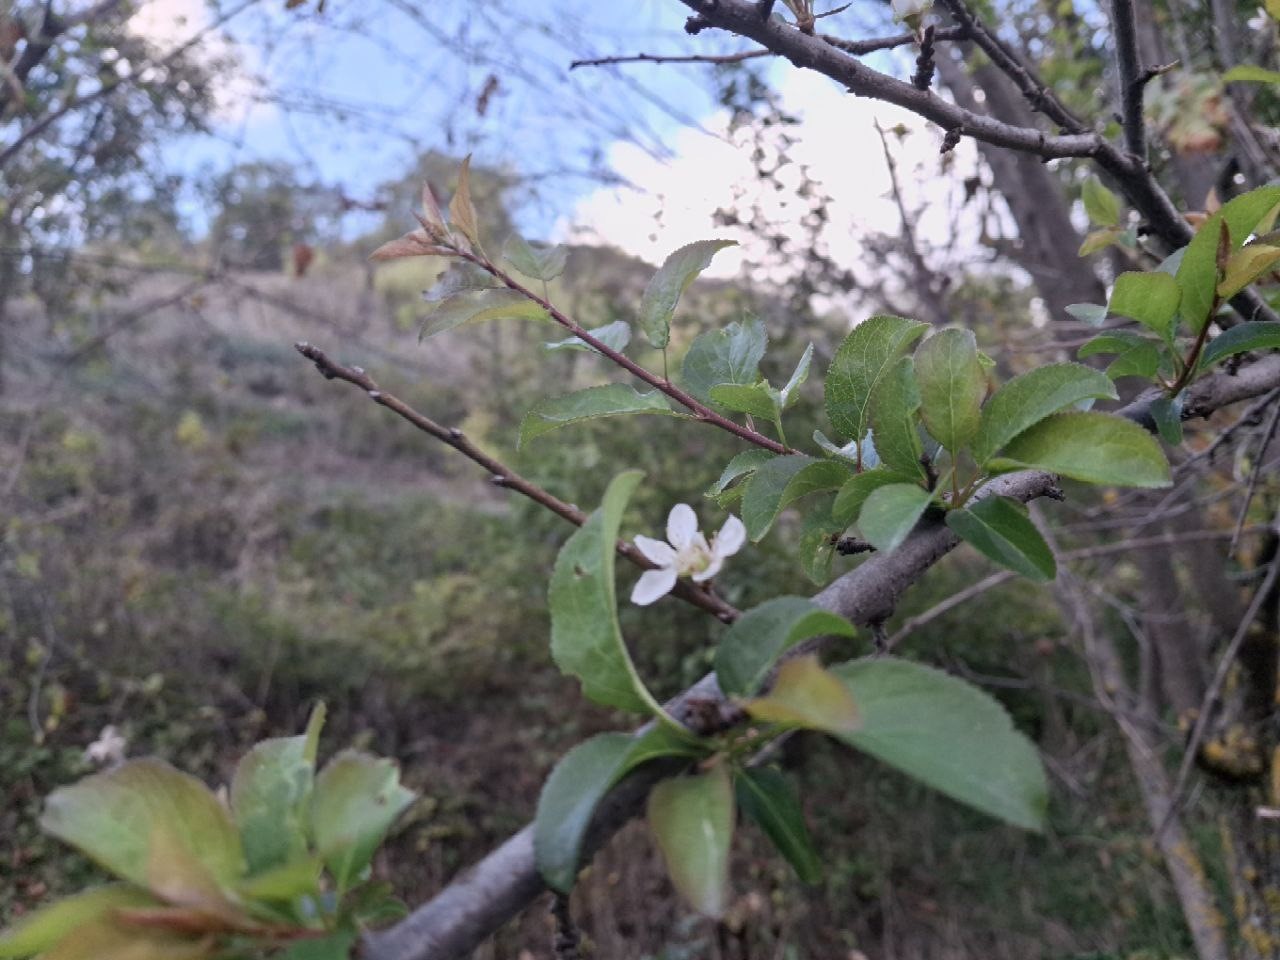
836, 140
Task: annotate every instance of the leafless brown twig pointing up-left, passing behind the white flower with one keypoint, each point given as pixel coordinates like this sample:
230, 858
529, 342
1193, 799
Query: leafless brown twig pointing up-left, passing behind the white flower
502, 476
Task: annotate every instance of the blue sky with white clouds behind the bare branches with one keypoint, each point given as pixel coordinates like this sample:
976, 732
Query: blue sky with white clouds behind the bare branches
354, 95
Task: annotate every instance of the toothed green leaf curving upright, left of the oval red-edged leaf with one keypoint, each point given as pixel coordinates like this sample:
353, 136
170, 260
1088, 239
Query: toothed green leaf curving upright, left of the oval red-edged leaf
865, 358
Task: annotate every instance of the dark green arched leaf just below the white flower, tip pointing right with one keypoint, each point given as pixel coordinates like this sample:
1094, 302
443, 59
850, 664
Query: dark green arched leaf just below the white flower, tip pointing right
756, 641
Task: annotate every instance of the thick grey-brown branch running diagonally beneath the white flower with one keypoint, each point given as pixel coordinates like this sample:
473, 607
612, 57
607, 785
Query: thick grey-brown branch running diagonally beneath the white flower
493, 892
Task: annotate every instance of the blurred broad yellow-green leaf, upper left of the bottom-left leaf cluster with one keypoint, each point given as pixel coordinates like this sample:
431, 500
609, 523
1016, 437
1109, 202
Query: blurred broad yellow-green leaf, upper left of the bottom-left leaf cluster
112, 819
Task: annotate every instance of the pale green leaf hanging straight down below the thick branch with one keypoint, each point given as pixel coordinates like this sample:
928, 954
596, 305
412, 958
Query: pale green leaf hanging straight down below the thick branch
693, 821
